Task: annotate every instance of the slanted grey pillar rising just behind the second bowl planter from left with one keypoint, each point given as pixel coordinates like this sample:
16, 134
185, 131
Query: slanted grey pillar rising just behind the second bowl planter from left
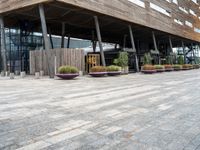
99, 40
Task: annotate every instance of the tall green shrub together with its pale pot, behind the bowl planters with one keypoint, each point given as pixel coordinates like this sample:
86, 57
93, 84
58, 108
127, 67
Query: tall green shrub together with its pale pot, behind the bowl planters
122, 61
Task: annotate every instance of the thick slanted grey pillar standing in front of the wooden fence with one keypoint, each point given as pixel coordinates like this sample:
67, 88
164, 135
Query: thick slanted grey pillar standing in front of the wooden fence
46, 40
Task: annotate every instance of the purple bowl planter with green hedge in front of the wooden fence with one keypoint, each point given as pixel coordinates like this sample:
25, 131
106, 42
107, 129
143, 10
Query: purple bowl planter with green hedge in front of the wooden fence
67, 72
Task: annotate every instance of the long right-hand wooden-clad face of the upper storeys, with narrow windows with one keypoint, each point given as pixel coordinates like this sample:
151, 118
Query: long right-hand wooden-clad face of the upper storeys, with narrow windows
127, 11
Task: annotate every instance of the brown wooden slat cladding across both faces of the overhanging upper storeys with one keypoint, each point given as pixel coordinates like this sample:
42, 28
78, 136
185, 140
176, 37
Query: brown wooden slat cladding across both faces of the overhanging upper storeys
129, 12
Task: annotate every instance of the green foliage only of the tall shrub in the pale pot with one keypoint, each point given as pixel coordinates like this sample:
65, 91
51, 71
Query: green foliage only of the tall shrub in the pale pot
122, 60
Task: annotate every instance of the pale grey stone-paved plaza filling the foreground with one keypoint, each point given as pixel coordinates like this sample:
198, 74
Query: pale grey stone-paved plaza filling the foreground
131, 112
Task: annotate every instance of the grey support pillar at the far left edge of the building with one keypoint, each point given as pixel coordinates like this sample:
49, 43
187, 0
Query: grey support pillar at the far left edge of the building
3, 45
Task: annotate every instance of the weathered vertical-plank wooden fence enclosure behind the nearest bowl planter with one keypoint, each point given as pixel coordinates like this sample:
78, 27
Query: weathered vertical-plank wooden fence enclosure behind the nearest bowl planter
72, 57
